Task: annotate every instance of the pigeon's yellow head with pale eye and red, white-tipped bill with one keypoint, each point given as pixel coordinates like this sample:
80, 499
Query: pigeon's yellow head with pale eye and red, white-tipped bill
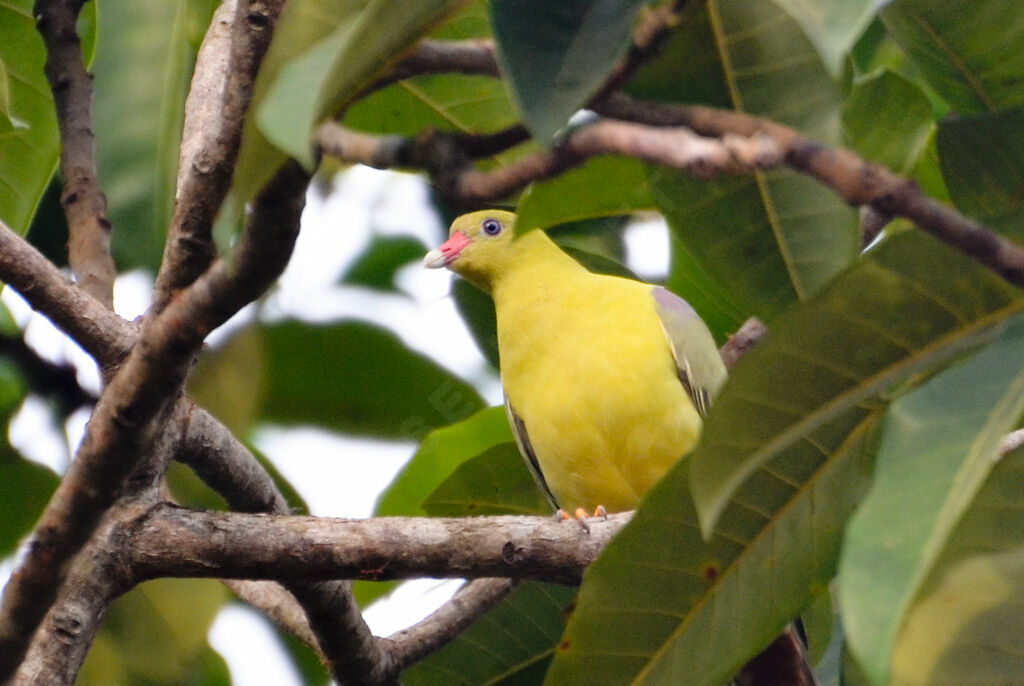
480, 247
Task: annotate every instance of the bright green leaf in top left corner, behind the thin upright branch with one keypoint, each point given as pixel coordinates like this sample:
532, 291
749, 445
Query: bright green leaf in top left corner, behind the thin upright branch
30, 148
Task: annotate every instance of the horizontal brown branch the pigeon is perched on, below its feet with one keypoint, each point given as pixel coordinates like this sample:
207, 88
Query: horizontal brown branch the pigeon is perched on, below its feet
176, 542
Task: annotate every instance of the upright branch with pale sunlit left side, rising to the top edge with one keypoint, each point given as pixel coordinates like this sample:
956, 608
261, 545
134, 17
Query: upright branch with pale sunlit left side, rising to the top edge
222, 90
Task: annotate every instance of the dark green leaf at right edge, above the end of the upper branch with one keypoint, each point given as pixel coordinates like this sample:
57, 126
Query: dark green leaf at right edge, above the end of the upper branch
983, 161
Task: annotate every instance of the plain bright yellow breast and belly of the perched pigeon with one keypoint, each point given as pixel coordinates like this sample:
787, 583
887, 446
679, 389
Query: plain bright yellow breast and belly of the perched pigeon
587, 367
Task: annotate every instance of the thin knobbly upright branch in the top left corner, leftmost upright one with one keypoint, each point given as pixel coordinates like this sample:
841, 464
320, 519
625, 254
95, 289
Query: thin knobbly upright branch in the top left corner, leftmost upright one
84, 203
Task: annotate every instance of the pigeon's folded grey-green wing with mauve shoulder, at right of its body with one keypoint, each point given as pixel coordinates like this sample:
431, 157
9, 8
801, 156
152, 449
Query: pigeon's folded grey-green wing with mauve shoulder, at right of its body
698, 362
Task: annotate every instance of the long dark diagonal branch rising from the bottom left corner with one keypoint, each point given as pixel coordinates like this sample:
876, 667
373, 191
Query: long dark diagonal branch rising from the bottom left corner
129, 416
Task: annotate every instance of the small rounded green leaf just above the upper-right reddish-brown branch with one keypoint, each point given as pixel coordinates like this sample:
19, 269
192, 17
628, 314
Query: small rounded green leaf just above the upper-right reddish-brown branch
888, 120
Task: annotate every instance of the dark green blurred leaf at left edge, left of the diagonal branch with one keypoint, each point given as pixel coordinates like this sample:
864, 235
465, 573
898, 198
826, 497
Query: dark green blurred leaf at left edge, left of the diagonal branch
25, 490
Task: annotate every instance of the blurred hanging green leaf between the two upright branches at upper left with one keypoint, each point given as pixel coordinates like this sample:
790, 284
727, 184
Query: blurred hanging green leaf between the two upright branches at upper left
143, 70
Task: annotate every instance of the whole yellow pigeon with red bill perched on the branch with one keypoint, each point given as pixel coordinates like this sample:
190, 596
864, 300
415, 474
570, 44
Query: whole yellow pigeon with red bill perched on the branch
607, 379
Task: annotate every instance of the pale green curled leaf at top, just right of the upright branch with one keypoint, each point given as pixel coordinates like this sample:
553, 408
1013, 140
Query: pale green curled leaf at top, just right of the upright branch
328, 76
